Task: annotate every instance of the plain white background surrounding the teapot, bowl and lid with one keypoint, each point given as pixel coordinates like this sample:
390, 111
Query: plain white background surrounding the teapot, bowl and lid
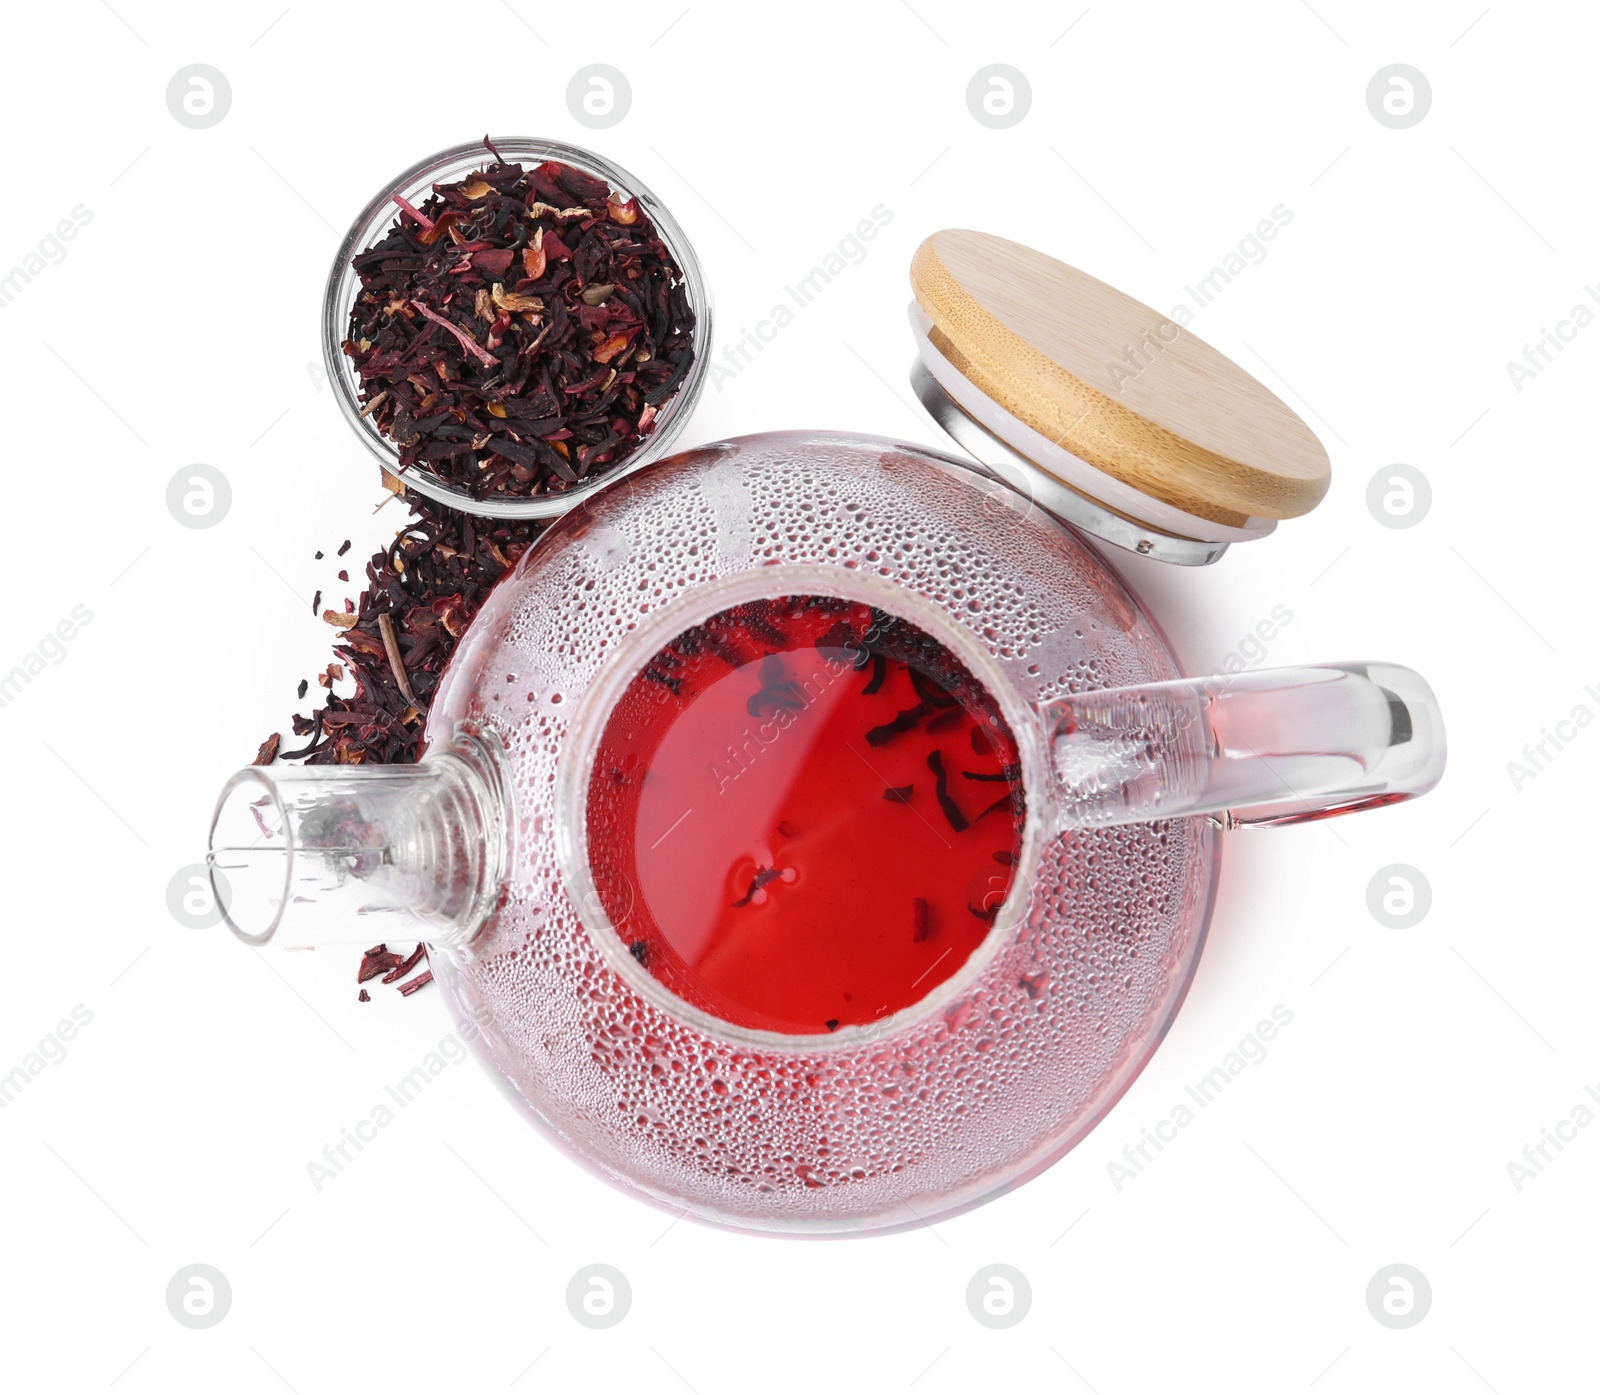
182, 329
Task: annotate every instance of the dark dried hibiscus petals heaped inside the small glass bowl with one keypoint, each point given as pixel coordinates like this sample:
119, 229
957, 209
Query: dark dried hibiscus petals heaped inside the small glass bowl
521, 332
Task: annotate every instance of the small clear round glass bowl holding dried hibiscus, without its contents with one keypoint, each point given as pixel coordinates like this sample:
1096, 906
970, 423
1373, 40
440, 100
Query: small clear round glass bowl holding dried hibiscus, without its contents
415, 185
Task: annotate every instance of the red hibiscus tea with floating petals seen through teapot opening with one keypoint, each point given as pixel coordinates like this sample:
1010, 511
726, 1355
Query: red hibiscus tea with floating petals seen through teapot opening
804, 815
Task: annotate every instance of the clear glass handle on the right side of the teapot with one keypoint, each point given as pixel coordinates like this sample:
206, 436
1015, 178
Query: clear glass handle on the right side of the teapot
1274, 746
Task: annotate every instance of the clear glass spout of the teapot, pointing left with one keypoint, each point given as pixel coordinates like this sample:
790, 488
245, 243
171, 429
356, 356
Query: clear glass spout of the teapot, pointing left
340, 855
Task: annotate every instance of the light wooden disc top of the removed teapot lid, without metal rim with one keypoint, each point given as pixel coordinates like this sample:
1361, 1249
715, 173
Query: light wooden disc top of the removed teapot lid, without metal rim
1113, 382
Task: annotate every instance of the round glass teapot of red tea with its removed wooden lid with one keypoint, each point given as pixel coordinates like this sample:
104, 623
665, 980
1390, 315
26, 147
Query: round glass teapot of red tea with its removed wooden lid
818, 829
